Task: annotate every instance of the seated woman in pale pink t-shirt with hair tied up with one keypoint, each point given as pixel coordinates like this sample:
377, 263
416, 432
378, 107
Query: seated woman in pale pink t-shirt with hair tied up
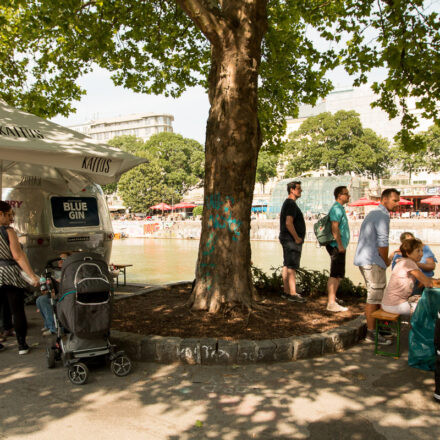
403, 278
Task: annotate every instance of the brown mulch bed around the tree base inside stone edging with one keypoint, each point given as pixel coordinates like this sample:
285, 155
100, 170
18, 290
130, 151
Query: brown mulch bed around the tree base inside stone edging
164, 312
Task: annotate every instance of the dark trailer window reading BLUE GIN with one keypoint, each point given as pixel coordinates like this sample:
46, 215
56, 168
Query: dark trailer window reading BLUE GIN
74, 211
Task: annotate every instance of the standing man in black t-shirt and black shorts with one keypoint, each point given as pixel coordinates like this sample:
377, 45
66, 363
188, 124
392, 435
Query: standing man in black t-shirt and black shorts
292, 233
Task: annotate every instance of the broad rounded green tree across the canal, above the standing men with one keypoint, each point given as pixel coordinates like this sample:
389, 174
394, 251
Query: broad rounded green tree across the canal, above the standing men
338, 142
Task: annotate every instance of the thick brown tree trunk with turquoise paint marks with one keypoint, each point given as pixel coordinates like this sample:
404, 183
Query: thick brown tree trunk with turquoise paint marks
233, 139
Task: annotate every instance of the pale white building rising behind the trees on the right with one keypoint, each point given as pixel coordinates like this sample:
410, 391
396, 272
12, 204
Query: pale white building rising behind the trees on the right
358, 99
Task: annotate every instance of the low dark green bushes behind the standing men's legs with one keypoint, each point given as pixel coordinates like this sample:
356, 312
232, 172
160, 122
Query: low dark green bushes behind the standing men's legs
309, 283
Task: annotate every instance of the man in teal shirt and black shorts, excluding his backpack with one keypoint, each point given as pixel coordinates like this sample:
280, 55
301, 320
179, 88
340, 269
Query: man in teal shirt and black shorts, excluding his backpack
337, 247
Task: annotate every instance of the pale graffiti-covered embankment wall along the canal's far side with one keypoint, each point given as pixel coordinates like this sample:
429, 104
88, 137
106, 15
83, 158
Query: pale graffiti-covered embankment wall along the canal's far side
428, 230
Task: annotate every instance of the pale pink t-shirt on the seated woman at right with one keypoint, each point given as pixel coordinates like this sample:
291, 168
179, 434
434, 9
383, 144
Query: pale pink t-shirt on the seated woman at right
401, 283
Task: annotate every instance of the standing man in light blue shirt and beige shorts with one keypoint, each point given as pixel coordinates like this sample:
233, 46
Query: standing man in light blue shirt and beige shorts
372, 256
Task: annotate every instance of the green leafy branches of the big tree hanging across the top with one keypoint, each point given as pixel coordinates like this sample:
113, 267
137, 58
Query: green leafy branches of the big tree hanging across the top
154, 47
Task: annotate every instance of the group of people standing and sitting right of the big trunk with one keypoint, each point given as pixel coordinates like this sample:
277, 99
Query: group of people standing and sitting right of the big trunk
412, 264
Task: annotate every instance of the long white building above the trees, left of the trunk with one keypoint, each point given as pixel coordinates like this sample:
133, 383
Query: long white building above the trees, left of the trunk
141, 125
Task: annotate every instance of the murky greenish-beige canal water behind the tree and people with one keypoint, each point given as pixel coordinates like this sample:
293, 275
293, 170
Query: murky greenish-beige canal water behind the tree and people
158, 261
